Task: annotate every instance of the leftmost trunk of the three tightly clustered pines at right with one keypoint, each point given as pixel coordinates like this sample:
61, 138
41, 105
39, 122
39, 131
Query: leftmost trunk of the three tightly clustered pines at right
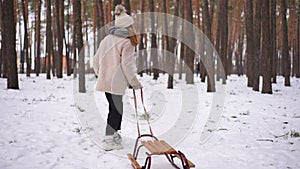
250, 41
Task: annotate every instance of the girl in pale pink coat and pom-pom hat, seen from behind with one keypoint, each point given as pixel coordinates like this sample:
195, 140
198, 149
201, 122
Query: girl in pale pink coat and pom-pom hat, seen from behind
115, 66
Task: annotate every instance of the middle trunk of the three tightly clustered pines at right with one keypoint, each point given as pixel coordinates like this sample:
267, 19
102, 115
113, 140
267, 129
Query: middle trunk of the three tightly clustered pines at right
257, 35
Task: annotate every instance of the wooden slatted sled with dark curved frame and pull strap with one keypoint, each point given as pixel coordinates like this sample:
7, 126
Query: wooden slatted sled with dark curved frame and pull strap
154, 147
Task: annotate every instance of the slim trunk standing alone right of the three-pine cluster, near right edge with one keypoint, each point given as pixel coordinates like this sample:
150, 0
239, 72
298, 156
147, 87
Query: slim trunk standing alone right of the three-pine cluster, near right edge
285, 49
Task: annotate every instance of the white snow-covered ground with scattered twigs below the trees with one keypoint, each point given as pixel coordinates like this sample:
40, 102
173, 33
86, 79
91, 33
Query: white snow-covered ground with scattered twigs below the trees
47, 125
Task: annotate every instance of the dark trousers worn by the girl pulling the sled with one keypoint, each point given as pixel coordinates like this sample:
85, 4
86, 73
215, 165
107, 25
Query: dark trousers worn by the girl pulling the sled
114, 118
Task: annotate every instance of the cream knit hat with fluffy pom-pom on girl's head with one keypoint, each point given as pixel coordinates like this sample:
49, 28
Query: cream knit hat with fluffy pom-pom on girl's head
122, 18
